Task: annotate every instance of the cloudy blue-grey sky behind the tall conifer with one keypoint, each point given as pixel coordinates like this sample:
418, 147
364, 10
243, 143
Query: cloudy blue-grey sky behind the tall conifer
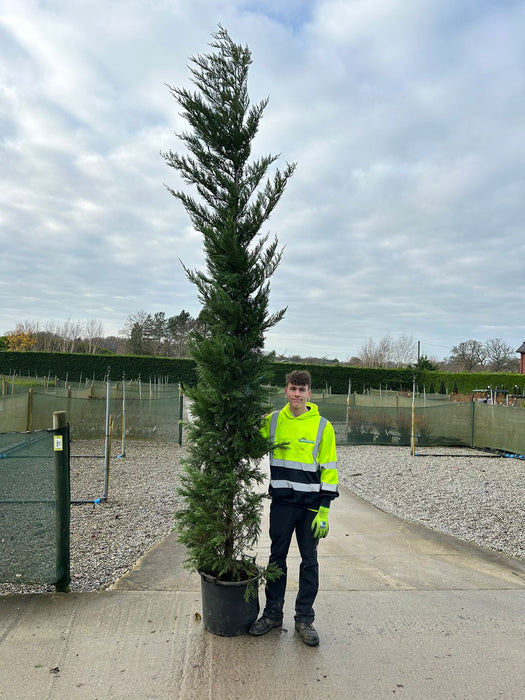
406, 214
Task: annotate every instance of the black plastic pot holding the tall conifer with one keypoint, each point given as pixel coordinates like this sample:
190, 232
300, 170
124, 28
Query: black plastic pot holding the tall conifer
225, 611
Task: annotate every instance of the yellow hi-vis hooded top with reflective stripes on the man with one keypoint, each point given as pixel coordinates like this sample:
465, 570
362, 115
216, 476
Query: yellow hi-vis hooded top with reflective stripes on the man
304, 471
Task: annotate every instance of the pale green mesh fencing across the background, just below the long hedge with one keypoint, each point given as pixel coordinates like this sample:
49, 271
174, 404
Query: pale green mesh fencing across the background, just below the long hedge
152, 410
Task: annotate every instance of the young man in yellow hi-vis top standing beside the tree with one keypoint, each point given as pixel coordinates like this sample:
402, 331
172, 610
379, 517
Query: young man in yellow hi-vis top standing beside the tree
303, 483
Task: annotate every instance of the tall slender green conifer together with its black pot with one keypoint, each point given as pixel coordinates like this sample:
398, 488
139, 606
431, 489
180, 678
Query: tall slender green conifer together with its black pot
219, 521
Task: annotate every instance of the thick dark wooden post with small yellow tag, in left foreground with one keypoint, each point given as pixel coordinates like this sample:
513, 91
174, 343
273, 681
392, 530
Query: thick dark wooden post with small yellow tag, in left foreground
63, 499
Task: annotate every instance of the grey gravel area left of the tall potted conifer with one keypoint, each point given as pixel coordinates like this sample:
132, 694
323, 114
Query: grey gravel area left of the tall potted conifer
108, 538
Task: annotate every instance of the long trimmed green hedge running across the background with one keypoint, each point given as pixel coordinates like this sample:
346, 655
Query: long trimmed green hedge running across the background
334, 377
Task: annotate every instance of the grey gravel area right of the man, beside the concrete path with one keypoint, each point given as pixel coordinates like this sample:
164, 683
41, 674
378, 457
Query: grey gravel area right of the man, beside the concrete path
456, 491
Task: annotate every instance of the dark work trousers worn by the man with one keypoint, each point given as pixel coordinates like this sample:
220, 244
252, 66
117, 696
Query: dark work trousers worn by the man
284, 520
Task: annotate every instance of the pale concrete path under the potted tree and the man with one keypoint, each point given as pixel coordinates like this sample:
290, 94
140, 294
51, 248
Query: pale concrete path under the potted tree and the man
402, 613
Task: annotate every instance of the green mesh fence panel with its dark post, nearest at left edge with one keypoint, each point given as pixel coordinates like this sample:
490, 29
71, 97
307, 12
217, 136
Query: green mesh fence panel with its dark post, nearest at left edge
34, 508
